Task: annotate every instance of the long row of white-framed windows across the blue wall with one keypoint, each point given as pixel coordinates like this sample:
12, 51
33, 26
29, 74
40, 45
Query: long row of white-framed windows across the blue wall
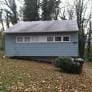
35, 39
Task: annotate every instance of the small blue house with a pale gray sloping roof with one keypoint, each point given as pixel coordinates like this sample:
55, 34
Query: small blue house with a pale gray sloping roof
42, 38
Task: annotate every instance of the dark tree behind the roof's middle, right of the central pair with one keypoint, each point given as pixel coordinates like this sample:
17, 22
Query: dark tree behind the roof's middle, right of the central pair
50, 9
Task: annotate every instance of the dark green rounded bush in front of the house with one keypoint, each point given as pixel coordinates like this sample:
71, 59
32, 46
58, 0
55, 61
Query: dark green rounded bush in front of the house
67, 65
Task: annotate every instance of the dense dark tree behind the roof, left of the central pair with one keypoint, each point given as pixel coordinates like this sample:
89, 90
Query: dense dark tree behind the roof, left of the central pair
31, 10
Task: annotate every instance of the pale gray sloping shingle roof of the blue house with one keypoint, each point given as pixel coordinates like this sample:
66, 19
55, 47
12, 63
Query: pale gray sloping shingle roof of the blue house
44, 26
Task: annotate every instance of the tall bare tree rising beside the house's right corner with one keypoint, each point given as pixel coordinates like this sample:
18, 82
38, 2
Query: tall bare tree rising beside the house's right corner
79, 11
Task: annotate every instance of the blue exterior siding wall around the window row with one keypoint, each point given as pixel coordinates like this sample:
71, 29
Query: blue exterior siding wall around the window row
41, 49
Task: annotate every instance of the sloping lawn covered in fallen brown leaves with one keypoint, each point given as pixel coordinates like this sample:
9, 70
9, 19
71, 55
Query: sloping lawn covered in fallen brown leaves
29, 76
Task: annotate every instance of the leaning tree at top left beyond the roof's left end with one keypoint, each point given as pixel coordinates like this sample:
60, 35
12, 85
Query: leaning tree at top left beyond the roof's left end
10, 11
